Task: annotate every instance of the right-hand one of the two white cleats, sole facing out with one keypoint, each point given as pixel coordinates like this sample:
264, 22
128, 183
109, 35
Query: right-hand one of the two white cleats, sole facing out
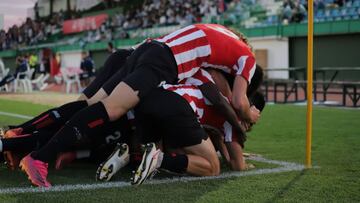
148, 165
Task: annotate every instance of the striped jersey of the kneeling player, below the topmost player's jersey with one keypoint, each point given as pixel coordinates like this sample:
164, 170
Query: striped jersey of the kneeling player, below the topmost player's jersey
203, 109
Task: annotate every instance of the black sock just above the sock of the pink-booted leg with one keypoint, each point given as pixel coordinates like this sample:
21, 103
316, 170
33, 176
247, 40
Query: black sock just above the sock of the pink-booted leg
56, 117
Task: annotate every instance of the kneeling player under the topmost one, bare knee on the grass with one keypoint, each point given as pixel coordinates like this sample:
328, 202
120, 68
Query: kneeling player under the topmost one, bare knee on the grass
181, 132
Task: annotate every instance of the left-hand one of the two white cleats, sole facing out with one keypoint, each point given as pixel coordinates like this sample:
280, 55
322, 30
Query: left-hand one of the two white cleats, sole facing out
117, 160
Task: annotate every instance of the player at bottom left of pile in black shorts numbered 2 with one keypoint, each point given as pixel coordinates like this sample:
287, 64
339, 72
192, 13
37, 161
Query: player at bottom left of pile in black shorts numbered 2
95, 147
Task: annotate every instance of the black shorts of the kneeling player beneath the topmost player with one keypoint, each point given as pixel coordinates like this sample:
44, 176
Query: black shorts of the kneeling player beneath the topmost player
165, 115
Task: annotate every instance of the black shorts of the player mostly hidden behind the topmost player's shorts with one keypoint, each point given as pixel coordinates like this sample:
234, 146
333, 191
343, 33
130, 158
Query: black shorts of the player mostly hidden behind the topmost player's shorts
113, 63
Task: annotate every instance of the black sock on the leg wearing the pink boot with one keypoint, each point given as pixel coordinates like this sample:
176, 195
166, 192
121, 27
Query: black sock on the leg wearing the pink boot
83, 123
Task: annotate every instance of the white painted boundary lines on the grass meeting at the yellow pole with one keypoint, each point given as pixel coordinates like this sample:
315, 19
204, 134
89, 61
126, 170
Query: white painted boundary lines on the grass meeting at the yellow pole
283, 167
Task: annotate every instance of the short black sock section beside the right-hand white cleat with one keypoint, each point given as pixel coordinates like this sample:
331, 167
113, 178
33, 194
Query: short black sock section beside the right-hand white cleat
176, 163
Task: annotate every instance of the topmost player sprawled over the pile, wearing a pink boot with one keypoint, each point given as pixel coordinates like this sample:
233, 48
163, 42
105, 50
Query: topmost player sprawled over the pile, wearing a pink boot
169, 59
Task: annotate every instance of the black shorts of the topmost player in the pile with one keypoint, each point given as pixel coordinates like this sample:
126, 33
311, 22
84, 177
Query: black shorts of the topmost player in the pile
146, 68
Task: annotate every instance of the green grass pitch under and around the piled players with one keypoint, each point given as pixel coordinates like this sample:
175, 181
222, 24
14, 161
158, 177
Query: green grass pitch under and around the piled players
280, 135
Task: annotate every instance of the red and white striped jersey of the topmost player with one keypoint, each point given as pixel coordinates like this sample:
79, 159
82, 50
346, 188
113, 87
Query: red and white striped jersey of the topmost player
209, 45
